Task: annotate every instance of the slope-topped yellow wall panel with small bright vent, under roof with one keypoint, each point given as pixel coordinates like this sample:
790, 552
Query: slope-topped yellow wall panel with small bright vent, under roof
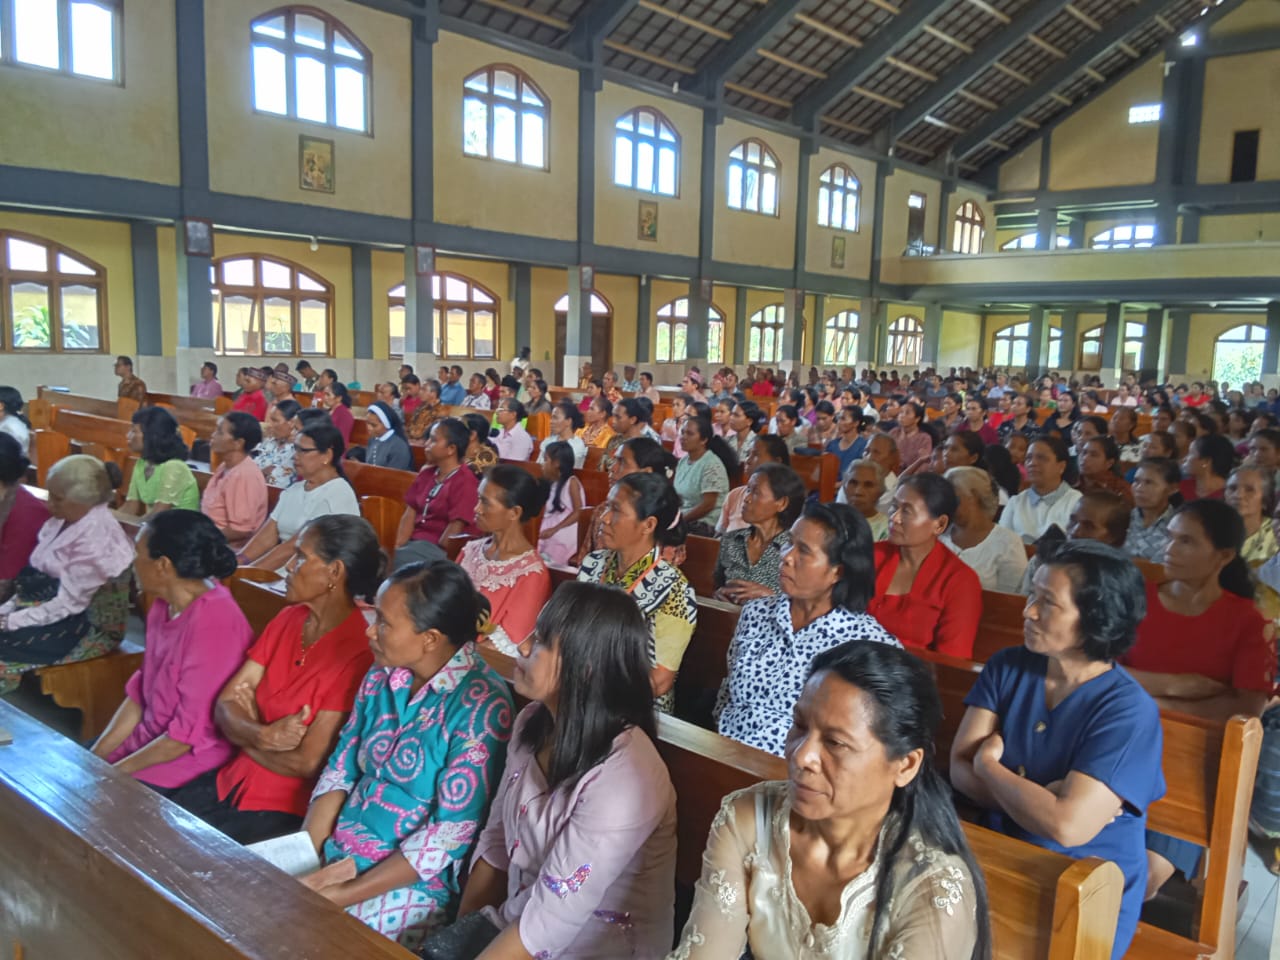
1099, 148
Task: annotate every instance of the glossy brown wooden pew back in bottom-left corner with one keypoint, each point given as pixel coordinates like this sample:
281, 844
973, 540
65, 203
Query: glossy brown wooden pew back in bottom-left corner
95, 865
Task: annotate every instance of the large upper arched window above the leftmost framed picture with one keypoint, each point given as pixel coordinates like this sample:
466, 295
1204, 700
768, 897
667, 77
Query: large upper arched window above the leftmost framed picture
310, 67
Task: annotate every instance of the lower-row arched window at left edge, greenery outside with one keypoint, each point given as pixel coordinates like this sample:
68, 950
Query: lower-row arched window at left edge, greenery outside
52, 298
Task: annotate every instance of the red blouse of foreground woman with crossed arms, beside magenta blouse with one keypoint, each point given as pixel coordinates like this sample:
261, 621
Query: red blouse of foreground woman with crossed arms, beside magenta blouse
327, 679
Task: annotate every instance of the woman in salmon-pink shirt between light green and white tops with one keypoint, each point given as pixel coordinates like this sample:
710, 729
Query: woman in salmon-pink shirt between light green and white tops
236, 496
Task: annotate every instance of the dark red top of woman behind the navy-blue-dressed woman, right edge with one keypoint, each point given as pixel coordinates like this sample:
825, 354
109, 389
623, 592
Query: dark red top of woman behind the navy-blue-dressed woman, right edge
1228, 643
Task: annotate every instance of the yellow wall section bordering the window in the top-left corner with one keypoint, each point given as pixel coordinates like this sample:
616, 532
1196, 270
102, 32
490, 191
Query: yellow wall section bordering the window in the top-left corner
67, 124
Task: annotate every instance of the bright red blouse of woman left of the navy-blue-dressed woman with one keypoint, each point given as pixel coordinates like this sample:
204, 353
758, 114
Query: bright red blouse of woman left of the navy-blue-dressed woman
943, 609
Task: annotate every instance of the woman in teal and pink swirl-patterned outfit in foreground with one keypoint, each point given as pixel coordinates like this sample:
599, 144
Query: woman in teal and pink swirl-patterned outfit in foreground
410, 829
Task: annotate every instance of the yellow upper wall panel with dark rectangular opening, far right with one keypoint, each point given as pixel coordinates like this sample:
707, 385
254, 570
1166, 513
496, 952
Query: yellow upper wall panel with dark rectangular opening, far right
1240, 97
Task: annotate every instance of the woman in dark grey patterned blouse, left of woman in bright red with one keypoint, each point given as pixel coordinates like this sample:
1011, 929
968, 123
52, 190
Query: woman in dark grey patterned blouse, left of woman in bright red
749, 560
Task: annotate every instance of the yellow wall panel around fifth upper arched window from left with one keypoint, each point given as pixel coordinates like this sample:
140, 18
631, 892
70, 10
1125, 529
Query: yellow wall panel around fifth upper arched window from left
753, 239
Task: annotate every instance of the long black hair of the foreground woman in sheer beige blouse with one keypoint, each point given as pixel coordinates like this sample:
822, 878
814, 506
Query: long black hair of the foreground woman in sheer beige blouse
904, 715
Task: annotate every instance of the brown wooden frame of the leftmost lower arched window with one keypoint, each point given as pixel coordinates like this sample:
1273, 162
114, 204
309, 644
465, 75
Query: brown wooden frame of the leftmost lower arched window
65, 269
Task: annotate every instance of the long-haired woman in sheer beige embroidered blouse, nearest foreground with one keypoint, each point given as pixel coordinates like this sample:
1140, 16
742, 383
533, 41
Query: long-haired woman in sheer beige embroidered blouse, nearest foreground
899, 883
